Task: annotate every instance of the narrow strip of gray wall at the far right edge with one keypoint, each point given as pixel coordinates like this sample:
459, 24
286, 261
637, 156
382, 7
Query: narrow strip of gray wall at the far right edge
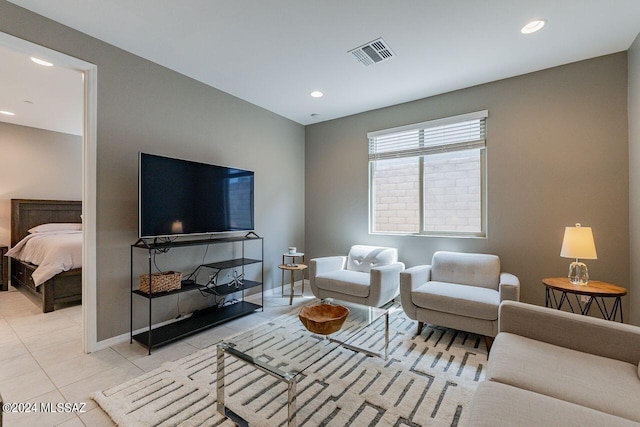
634, 179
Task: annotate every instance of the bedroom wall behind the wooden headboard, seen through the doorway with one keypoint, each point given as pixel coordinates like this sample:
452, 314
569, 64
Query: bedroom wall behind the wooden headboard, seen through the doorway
37, 164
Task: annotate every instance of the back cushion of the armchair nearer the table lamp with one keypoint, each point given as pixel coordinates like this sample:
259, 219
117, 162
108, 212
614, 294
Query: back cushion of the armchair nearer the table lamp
466, 269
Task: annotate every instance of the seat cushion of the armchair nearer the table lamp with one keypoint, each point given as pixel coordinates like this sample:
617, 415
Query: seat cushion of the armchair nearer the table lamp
462, 300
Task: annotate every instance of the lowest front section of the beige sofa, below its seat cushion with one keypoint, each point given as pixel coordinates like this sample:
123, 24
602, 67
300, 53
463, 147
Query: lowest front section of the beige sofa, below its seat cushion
496, 405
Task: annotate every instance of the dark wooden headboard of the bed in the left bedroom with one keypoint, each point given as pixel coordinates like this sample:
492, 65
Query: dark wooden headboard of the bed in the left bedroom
26, 213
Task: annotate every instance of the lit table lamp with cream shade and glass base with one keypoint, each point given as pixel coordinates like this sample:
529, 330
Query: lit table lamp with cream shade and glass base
578, 243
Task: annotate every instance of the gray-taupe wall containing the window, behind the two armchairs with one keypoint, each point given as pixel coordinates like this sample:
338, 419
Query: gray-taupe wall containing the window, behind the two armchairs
557, 154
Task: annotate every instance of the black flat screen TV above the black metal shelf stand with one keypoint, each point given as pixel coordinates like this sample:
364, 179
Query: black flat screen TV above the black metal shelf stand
182, 197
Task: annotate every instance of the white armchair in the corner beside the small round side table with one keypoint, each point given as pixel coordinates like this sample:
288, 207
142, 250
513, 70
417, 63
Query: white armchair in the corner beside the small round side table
369, 275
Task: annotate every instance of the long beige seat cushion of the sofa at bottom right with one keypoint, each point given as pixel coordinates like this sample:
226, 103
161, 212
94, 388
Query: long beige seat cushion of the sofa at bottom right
606, 385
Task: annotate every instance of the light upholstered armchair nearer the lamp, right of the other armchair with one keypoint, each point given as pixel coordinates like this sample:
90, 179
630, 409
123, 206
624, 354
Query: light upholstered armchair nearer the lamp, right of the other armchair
458, 290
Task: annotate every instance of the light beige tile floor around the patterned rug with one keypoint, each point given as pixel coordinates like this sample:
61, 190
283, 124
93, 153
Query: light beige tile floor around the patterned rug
41, 358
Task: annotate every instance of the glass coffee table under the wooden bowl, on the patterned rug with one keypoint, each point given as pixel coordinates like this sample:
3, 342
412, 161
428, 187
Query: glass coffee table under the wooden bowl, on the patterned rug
284, 348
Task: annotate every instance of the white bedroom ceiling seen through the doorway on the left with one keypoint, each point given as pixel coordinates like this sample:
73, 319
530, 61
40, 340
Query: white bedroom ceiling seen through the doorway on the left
48, 98
